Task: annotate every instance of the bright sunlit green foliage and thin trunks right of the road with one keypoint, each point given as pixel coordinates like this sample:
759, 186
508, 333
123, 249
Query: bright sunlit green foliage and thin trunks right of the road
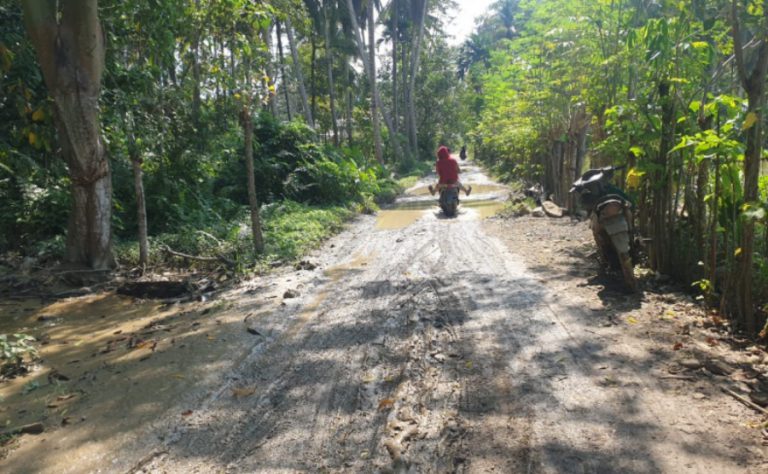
667, 89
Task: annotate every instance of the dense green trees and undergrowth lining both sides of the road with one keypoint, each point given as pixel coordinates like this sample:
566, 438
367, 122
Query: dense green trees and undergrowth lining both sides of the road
193, 101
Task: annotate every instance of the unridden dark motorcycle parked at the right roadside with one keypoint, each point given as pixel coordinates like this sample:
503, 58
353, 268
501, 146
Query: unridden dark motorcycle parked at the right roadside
610, 214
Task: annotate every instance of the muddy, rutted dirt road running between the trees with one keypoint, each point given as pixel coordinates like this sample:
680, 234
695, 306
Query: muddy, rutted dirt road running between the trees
425, 344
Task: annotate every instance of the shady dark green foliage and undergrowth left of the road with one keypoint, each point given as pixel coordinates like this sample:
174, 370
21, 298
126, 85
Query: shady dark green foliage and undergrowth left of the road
178, 78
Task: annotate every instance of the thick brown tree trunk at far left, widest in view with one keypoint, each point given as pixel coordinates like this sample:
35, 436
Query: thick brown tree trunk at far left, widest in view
70, 48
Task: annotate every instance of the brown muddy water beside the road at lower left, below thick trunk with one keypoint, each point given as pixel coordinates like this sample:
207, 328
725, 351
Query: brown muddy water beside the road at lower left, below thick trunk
107, 365
